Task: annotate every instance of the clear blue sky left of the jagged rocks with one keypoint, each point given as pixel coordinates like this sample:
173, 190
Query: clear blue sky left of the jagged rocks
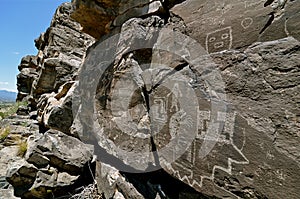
21, 22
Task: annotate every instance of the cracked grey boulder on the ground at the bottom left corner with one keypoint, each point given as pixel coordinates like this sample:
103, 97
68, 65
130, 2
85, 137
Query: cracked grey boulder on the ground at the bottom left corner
53, 166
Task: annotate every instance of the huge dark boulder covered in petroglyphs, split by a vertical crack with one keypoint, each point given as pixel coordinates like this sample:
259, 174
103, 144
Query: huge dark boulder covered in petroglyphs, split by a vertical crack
236, 136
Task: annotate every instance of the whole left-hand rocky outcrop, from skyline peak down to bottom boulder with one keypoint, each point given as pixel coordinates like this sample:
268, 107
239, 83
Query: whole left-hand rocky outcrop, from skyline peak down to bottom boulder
38, 162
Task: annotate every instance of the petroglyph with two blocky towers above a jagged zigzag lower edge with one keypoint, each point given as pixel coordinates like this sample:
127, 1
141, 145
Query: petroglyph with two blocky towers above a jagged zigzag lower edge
224, 149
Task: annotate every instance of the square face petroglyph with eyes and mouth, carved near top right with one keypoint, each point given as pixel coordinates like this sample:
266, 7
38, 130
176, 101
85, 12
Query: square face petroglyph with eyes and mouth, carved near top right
219, 40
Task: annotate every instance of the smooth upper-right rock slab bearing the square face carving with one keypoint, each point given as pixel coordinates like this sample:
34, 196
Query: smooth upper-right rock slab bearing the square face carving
237, 24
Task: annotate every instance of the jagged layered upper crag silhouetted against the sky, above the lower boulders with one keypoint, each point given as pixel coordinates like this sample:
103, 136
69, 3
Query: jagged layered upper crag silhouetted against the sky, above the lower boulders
61, 50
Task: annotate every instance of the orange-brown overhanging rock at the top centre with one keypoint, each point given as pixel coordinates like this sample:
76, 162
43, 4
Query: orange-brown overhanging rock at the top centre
101, 17
